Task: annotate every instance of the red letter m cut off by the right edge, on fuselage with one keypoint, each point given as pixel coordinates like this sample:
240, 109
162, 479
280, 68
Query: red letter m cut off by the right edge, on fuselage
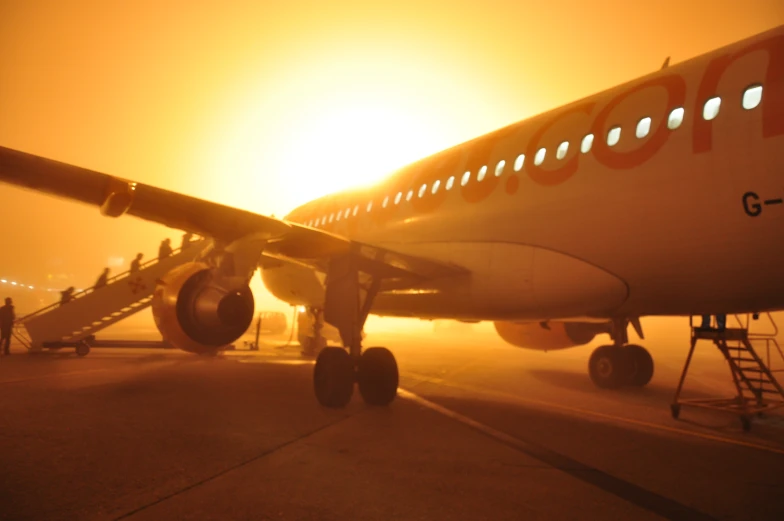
772, 98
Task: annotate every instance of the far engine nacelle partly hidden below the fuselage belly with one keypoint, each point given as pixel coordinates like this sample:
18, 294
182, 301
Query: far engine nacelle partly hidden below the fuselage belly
552, 335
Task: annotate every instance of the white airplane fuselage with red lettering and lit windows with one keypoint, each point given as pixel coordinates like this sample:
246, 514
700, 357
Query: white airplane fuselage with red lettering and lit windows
683, 220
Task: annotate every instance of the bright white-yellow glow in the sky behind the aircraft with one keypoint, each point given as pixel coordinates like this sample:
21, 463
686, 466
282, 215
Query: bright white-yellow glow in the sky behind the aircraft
339, 121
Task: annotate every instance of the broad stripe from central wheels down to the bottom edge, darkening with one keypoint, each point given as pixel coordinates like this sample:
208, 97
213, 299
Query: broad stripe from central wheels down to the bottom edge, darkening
643, 498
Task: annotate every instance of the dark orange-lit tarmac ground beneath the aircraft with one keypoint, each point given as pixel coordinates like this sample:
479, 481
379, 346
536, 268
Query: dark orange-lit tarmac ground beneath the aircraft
480, 430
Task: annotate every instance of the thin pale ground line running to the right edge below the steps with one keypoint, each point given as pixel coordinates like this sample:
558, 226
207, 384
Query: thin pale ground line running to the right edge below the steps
639, 423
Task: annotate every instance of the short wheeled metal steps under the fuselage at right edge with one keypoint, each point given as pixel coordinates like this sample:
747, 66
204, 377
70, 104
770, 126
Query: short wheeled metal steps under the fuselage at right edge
751, 356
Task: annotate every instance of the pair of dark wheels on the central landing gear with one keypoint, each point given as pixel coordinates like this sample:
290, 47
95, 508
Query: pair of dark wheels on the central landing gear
375, 373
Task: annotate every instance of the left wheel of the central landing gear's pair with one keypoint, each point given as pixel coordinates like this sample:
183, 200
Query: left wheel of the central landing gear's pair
333, 377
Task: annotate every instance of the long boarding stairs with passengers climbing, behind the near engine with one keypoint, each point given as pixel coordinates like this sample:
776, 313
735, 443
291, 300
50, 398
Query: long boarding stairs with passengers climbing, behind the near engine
75, 323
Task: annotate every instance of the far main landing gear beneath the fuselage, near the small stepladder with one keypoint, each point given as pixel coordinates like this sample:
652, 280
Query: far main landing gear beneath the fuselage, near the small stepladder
619, 364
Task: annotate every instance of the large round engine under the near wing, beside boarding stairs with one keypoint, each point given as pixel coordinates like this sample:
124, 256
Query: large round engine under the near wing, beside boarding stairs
195, 310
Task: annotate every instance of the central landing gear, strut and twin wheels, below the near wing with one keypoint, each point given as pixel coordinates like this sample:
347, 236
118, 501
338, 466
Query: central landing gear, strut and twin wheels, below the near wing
348, 297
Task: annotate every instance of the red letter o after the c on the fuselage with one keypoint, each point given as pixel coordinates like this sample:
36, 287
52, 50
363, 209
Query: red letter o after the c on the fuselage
676, 90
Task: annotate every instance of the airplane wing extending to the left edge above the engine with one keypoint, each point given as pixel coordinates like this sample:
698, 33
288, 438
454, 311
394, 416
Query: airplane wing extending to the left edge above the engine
288, 241
